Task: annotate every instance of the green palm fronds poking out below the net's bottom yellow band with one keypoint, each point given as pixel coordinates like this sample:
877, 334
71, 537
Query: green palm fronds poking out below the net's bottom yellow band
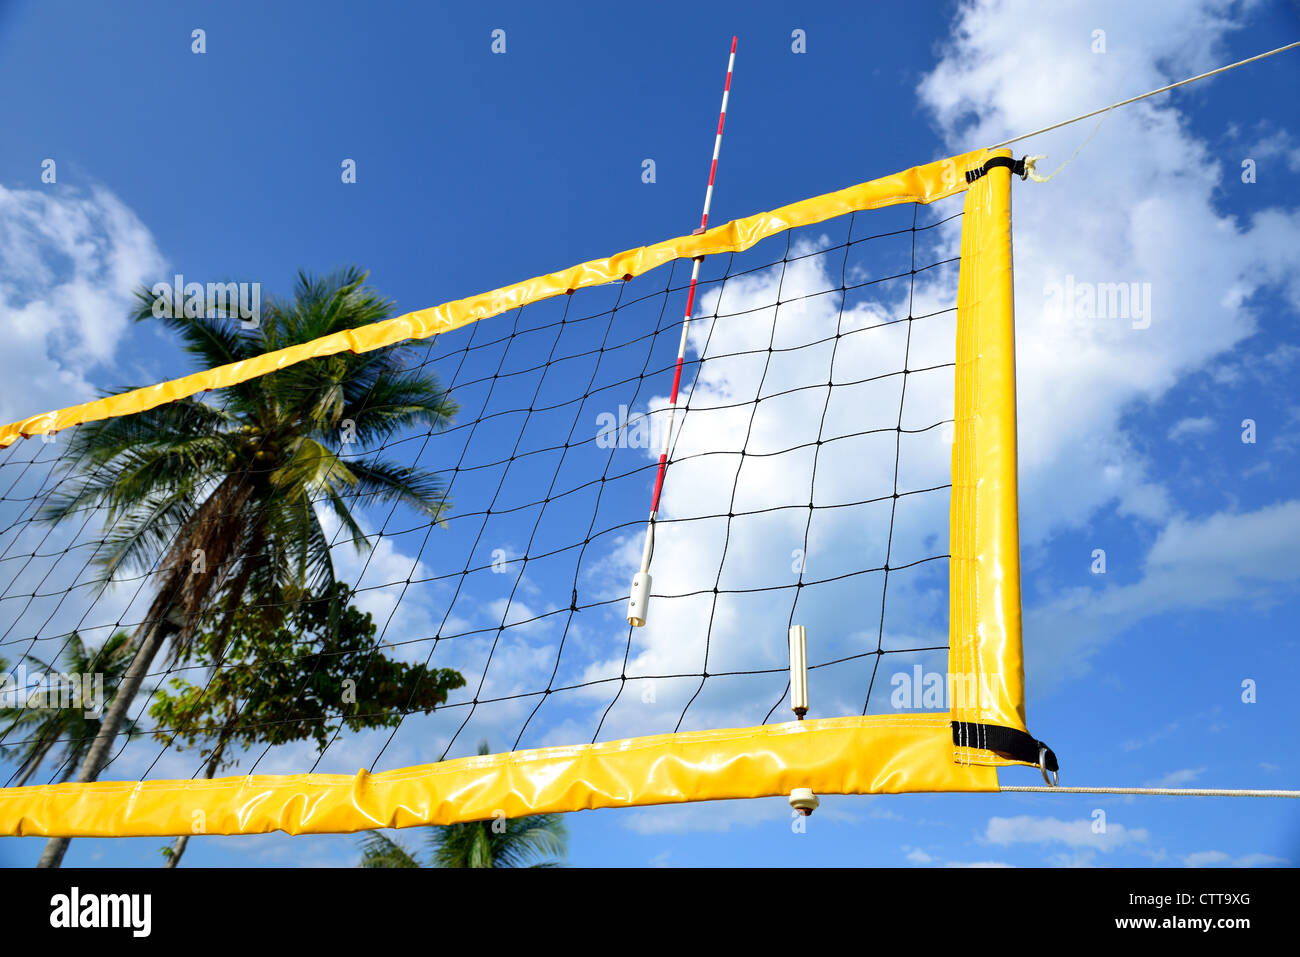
539, 841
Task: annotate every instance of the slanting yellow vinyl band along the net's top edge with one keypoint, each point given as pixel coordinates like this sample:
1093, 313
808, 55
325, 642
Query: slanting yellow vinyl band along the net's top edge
917, 185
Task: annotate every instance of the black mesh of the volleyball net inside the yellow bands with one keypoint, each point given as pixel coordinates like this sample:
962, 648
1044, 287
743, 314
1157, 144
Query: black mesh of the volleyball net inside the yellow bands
808, 483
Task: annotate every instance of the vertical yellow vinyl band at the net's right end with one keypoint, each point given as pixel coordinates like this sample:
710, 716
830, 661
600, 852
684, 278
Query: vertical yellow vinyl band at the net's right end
986, 659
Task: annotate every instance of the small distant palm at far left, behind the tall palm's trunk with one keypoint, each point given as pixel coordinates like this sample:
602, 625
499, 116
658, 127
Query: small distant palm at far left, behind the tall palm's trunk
40, 730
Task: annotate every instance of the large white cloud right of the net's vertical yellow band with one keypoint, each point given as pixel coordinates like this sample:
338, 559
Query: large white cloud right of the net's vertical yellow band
1107, 219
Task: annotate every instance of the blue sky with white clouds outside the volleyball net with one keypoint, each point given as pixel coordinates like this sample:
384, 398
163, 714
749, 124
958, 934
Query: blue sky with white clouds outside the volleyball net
478, 170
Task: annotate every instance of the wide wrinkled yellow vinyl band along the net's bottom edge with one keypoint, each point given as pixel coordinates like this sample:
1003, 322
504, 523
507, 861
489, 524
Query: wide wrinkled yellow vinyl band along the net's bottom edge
834, 756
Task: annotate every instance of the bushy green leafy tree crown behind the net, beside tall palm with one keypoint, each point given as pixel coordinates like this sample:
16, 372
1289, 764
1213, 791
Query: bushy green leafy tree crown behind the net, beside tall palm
296, 679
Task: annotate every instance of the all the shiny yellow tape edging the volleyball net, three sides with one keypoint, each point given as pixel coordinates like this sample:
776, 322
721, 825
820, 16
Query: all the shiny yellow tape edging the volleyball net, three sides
869, 755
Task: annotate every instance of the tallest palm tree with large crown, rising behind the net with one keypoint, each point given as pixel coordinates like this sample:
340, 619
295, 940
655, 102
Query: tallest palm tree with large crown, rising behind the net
220, 501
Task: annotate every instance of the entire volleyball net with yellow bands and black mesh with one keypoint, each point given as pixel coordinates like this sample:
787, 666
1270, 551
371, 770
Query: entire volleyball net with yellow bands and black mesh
384, 545
